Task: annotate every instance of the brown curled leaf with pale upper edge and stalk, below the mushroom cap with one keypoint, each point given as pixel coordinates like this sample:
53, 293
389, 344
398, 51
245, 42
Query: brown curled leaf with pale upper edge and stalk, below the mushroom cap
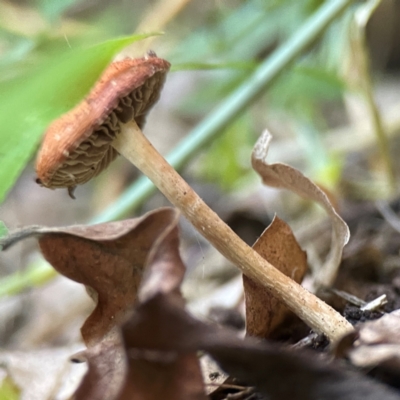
108, 258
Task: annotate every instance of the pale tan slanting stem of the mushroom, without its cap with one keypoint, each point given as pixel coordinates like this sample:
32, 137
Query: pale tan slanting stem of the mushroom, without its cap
134, 146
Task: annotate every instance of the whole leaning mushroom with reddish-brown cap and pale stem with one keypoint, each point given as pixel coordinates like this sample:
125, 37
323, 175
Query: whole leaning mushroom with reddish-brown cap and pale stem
84, 141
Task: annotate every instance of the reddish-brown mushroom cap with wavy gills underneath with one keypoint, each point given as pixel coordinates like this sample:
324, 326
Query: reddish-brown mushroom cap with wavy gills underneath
77, 146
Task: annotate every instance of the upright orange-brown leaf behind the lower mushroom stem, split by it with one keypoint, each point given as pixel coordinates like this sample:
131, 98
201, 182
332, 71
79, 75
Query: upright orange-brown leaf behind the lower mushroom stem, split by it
277, 245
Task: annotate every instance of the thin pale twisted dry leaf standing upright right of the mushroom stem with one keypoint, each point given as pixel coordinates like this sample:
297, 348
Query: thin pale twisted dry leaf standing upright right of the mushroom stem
283, 176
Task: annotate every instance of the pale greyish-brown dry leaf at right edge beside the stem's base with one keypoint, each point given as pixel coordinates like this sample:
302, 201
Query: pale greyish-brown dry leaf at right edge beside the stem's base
378, 343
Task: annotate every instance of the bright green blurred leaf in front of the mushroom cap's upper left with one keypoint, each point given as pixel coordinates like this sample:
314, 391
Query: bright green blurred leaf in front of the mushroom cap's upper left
28, 103
